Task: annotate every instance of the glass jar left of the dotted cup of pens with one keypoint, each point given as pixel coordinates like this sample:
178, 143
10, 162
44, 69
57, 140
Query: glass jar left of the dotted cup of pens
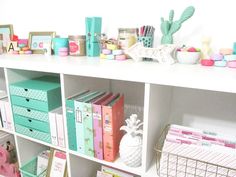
127, 37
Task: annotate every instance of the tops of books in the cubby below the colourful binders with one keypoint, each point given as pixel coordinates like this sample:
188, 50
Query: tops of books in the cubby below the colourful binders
111, 172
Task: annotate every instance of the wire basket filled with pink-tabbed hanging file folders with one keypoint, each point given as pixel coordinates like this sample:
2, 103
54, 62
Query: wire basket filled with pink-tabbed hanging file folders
197, 153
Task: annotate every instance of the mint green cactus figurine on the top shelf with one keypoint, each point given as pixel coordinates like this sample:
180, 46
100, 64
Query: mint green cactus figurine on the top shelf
168, 27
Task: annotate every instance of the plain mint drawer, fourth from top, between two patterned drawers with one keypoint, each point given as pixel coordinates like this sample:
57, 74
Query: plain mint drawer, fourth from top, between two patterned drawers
32, 123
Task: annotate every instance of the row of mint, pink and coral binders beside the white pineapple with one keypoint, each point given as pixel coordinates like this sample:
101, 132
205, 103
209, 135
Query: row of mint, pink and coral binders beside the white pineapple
93, 120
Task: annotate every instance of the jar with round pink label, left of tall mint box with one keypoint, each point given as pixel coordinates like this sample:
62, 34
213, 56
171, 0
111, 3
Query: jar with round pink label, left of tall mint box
77, 46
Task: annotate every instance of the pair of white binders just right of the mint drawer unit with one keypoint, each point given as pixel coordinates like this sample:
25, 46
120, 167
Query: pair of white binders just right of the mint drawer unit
57, 127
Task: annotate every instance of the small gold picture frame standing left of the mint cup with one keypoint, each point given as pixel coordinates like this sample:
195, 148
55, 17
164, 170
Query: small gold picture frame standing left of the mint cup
41, 42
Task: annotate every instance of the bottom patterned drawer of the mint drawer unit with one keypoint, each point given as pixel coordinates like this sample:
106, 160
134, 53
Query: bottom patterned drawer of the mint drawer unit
33, 133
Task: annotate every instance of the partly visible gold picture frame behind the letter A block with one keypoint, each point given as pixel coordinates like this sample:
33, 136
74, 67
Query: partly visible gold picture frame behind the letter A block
6, 32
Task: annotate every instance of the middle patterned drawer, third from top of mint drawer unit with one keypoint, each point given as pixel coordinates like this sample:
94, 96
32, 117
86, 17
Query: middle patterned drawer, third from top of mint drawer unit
30, 113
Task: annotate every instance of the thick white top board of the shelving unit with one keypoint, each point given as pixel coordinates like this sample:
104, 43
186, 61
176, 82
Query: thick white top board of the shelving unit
180, 75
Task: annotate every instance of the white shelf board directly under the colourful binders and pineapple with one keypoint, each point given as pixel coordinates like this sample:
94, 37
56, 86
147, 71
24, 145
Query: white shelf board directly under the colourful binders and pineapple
117, 164
